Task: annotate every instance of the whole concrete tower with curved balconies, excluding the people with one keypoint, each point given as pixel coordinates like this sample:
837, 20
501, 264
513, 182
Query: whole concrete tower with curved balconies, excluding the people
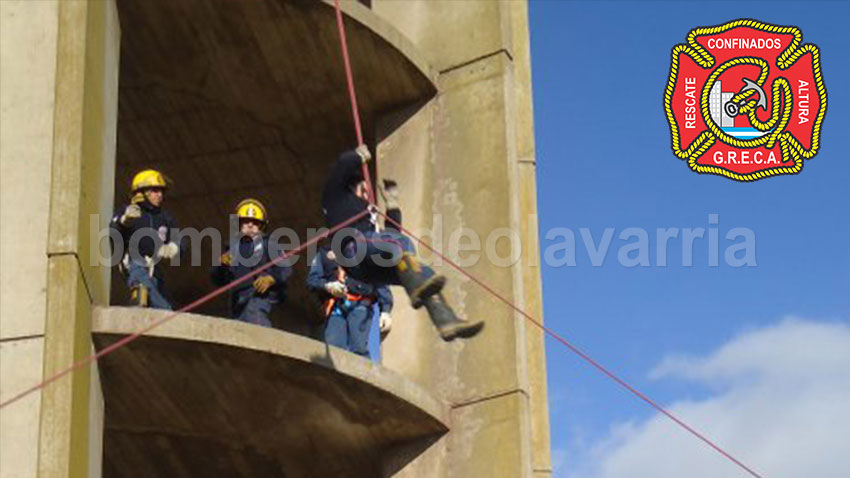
248, 98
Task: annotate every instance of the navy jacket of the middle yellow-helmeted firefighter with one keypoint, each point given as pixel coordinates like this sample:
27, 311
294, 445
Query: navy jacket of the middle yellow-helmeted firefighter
253, 254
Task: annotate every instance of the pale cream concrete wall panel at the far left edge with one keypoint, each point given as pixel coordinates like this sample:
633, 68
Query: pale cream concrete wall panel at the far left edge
27, 75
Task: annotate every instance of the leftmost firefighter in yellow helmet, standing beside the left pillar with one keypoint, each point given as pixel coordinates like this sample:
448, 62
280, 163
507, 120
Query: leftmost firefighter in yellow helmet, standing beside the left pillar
146, 228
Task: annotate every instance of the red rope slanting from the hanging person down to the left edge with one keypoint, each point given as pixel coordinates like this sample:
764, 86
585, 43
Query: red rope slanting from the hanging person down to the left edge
135, 335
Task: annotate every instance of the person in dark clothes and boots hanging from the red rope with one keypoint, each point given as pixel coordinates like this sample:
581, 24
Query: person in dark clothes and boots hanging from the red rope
345, 195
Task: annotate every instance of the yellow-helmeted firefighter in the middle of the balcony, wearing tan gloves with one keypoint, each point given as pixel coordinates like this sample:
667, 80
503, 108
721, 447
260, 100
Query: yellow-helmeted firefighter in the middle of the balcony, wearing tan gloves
252, 300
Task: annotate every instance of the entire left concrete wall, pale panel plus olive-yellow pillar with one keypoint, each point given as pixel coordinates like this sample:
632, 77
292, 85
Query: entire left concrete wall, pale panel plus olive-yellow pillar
59, 107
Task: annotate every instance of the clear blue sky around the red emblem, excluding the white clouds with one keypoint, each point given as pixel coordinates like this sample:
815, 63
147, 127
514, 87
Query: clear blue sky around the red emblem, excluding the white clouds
604, 160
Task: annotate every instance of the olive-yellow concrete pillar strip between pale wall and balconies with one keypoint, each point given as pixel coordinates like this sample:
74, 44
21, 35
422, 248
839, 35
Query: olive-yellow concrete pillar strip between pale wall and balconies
82, 172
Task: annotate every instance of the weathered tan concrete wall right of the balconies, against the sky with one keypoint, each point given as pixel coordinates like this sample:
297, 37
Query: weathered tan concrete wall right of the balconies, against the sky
466, 160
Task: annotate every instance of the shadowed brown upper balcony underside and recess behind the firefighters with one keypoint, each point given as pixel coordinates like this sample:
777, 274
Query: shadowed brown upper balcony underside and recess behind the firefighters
234, 99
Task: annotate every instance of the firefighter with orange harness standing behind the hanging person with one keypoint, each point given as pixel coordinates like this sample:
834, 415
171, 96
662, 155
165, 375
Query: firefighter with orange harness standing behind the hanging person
348, 304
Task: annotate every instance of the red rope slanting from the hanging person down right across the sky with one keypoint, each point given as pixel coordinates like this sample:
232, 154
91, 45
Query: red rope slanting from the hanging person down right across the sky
576, 350
